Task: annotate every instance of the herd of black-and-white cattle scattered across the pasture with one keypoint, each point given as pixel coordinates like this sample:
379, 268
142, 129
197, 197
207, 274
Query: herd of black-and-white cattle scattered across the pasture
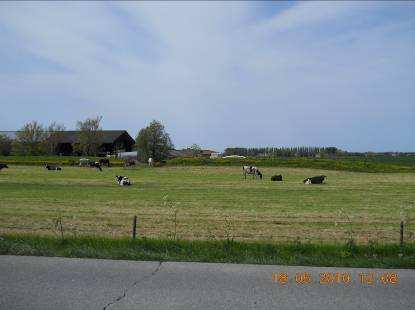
124, 181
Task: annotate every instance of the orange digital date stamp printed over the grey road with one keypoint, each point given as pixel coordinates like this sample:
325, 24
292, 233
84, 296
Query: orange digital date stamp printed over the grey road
329, 278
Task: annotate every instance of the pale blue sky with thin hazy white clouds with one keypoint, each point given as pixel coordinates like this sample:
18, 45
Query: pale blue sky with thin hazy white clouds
216, 74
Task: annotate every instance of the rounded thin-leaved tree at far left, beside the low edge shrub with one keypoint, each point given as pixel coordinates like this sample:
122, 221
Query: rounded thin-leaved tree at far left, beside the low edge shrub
30, 139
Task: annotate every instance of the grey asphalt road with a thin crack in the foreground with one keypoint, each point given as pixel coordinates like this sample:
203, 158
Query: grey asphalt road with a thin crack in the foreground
63, 283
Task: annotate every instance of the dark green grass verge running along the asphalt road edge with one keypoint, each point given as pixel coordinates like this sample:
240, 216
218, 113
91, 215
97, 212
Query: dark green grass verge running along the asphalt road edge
215, 251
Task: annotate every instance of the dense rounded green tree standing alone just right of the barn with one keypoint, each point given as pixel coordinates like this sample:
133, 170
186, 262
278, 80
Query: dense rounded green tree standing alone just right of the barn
153, 141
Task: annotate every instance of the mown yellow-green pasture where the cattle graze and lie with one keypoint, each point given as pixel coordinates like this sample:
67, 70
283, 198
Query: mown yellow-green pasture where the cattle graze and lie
208, 203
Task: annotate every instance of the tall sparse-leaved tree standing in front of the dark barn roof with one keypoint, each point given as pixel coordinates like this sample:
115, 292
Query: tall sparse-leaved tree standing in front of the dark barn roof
90, 136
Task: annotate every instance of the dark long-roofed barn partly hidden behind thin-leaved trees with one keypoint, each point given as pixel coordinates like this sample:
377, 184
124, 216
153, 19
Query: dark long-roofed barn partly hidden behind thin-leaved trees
112, 141
